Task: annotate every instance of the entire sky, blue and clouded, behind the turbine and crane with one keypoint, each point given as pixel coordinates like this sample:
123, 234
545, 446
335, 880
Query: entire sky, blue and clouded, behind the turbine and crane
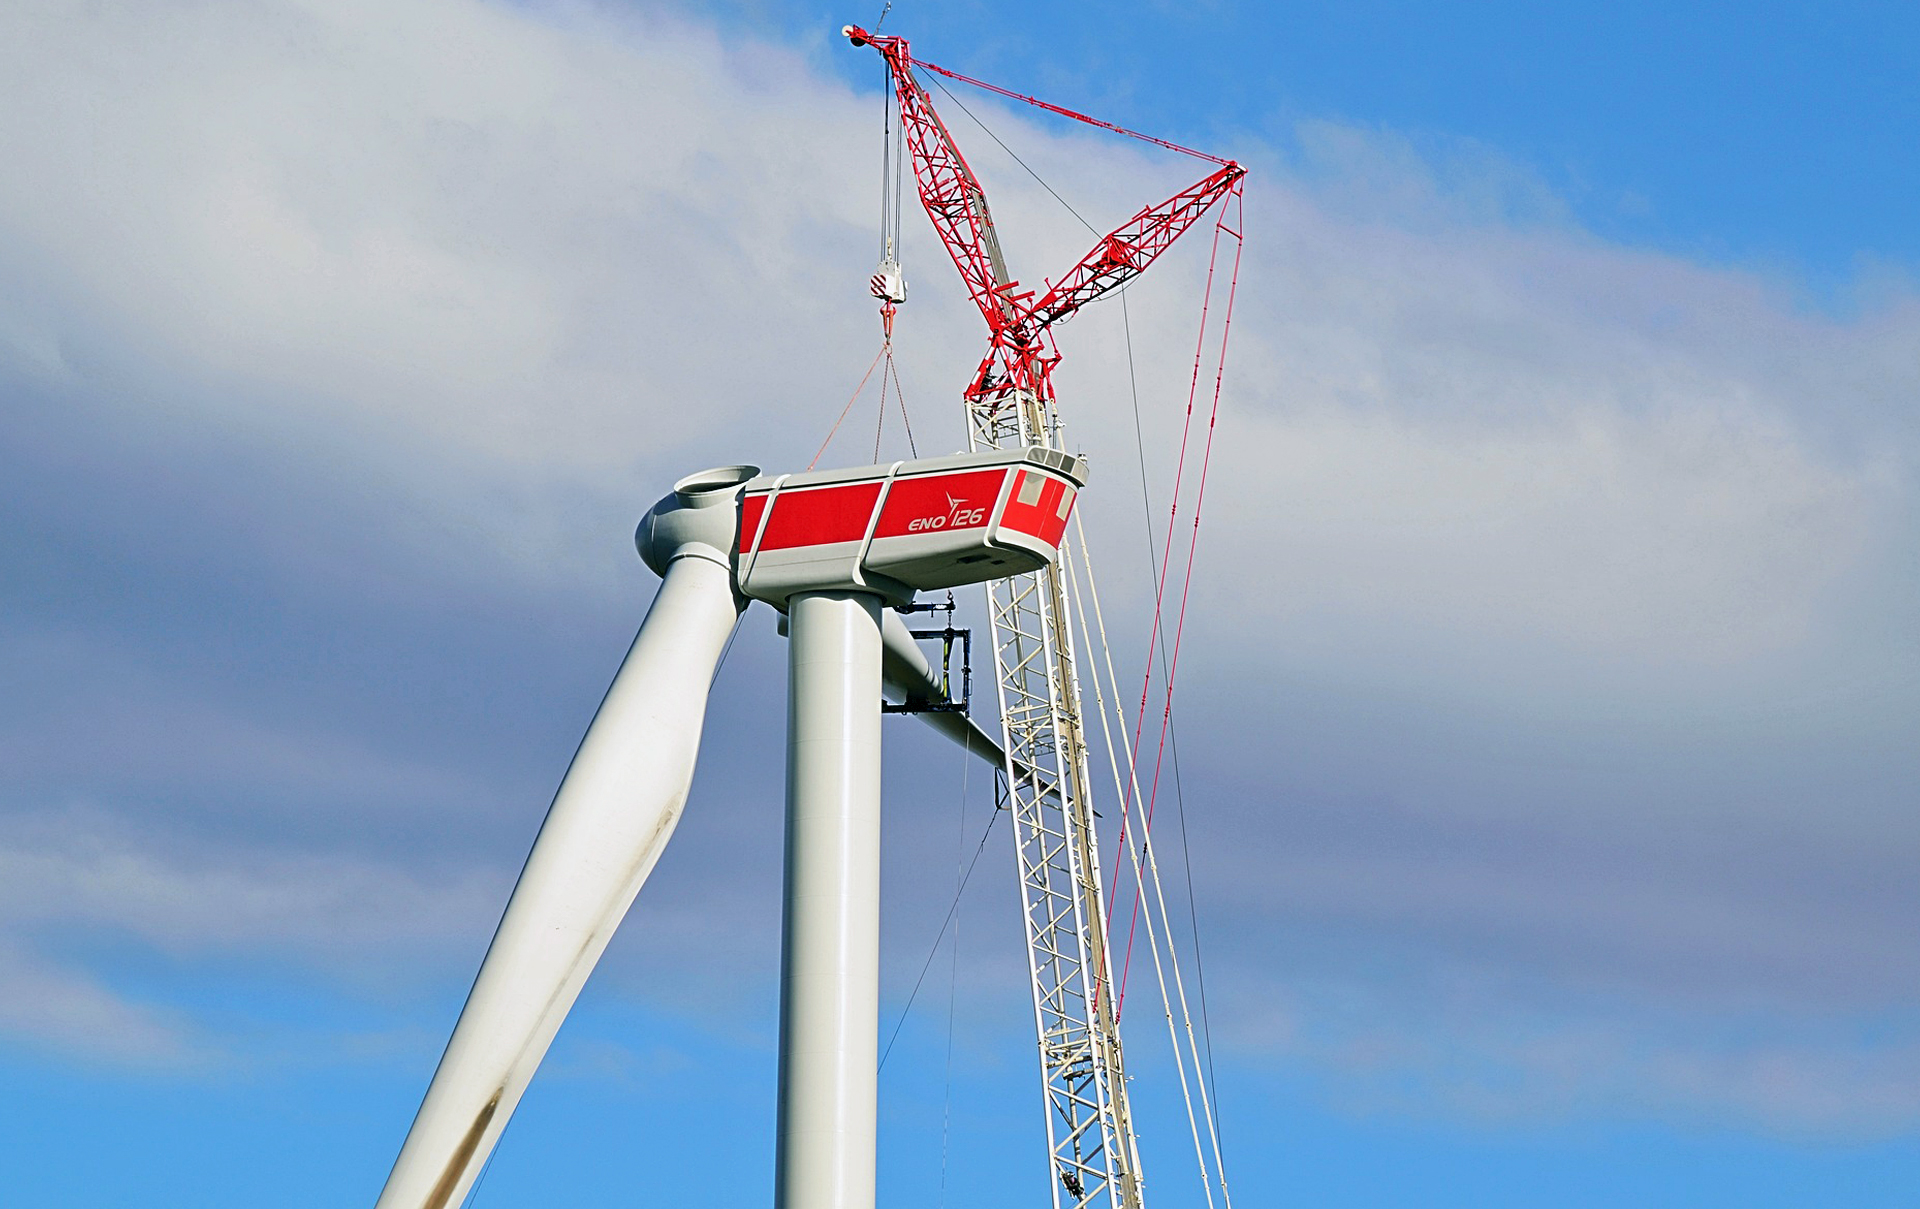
1548, 717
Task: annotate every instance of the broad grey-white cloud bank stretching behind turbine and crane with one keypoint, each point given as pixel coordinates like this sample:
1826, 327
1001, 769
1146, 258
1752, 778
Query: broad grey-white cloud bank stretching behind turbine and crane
1558, 596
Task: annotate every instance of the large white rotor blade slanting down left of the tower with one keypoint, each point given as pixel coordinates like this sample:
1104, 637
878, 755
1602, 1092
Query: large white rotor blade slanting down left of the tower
606, 830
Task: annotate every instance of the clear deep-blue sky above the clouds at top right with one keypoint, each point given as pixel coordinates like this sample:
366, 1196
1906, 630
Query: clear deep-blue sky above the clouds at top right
1760, 135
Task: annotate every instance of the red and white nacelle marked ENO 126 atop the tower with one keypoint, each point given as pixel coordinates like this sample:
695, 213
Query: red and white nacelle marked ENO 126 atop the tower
905, 527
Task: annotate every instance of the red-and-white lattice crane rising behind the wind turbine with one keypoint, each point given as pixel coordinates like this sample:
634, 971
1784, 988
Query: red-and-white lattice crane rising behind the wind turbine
1011, 404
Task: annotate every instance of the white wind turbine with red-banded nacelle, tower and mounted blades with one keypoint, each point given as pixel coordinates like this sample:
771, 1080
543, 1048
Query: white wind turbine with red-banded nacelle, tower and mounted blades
832, 550
